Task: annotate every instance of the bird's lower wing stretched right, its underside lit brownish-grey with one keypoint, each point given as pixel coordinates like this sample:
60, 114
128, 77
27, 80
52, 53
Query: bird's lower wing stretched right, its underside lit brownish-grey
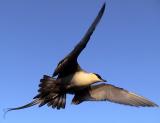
111, 93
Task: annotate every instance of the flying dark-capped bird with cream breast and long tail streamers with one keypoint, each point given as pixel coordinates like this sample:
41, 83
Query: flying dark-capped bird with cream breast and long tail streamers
70, 78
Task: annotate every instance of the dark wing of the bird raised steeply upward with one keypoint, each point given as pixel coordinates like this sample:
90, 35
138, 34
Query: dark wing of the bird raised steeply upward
70, 61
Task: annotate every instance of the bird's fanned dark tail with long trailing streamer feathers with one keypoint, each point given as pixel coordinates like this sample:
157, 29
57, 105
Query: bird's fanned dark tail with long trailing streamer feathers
50, 93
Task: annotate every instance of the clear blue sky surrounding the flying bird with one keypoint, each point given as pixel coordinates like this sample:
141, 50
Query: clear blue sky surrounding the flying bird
124, 49
